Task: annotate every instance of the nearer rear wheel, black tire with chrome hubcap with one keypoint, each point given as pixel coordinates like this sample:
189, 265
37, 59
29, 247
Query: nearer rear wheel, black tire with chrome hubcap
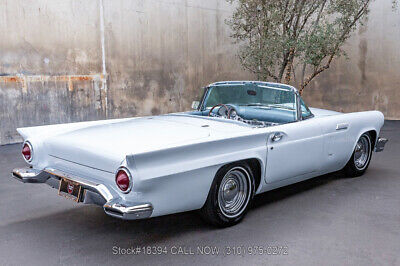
230, 195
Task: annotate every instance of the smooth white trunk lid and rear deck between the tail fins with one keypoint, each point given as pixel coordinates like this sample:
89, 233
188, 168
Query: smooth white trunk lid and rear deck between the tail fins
105, 146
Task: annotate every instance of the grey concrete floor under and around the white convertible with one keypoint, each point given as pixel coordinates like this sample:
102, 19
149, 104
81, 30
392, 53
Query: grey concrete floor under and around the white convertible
327, 220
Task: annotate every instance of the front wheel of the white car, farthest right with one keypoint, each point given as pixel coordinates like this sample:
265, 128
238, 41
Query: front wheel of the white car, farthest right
361, 157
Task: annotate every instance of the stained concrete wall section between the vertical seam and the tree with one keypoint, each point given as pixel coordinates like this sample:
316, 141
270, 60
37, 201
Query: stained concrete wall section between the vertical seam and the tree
160, 53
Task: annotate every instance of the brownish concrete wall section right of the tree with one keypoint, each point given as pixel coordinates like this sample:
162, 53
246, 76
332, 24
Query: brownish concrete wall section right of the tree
370, 78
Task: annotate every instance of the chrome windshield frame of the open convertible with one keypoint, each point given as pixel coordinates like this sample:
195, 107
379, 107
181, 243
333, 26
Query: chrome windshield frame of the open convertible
299, 117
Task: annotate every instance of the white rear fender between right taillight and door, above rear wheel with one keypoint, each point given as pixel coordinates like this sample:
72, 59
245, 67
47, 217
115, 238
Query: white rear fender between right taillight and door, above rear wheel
179, 179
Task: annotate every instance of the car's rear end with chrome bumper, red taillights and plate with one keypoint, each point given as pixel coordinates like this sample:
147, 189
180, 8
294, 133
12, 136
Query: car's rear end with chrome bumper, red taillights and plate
84, 184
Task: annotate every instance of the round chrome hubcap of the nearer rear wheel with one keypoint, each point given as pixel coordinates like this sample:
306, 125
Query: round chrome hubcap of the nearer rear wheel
234, 192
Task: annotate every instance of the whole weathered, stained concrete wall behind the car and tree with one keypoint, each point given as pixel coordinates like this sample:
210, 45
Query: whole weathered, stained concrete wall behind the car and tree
157, 54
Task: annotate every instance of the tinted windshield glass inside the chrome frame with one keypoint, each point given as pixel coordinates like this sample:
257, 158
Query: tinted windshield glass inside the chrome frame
267, 96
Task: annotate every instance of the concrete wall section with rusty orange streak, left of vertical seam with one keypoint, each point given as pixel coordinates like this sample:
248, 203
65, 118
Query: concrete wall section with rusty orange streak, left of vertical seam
44, 45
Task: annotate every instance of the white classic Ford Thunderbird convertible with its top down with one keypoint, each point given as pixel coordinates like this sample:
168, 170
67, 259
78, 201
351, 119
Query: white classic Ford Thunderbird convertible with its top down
243, 138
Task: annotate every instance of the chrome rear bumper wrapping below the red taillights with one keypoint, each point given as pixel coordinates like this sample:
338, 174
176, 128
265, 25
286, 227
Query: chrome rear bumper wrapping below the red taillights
98, 194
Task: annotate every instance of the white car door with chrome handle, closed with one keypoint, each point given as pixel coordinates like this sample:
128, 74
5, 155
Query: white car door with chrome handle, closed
294, 149
